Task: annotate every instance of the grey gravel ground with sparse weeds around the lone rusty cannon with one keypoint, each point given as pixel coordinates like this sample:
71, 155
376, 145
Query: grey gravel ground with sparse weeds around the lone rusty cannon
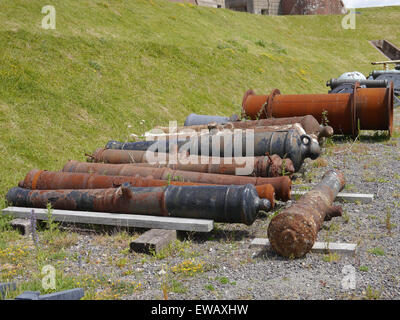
231, 270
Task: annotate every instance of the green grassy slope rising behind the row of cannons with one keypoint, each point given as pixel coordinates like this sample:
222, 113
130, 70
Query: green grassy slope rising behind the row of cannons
110, 64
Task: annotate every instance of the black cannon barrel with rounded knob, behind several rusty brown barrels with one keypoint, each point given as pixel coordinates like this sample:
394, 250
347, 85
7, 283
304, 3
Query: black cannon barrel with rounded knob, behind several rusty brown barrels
290, 144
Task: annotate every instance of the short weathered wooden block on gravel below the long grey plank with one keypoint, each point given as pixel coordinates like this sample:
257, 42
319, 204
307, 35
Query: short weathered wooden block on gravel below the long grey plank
153, 240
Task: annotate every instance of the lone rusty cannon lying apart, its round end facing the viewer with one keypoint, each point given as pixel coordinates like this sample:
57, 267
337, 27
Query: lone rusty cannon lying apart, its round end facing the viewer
293, 232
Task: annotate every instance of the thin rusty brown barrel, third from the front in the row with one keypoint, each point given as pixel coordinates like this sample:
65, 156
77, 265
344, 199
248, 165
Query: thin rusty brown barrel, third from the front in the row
282, 185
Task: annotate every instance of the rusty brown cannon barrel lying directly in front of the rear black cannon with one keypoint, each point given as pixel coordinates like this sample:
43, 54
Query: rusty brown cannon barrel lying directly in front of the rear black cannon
268, 166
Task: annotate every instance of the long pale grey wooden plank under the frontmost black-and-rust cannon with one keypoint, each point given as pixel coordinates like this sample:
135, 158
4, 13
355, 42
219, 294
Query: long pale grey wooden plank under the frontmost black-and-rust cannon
116, 219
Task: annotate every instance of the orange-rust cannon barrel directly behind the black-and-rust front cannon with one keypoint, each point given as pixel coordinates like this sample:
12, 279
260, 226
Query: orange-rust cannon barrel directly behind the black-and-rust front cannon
49, 180
